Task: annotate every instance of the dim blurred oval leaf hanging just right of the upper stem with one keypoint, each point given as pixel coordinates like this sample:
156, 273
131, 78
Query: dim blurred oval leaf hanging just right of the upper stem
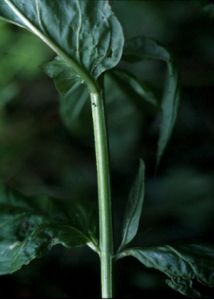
124, 121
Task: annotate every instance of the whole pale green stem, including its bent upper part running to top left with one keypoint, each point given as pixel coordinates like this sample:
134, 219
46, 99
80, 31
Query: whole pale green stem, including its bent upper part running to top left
102, 155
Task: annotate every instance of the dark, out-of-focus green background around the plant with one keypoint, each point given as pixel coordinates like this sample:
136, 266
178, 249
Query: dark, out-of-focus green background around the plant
39, 154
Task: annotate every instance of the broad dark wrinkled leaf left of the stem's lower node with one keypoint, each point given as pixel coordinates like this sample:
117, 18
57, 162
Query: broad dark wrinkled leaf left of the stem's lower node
31, 226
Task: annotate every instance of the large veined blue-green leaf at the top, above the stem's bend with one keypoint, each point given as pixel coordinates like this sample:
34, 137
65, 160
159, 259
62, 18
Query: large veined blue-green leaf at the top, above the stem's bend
85, 33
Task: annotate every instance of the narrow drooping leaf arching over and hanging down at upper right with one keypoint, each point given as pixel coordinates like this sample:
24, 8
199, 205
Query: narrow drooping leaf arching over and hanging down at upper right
145, 48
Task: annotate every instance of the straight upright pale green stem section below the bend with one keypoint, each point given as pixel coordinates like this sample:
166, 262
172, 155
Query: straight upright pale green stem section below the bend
104, 193
